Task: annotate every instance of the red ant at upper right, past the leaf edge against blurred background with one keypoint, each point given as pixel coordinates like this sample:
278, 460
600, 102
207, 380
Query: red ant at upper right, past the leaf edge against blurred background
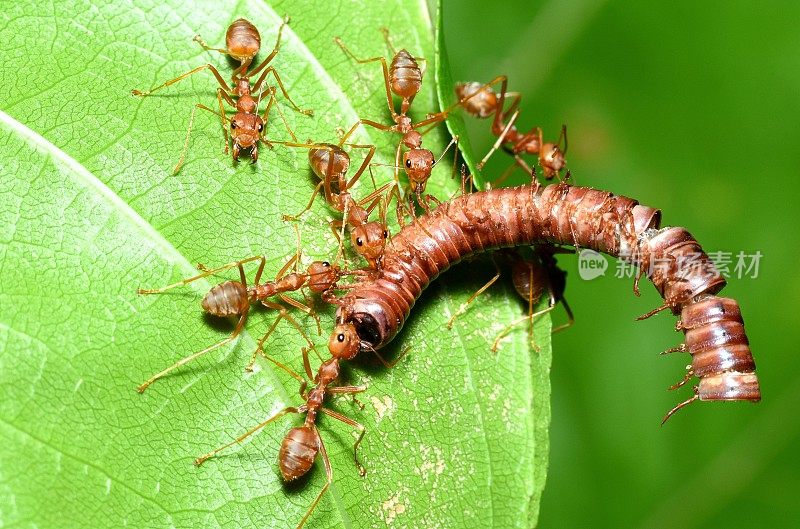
481, 101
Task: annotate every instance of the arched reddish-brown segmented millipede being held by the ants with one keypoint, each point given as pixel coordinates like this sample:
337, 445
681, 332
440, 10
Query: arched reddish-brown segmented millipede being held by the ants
563, 214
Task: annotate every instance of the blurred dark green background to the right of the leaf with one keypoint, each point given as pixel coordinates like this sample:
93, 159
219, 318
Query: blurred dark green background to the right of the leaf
694, 108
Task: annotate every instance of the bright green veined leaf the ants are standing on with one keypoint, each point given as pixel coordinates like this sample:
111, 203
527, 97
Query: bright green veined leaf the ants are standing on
456, 436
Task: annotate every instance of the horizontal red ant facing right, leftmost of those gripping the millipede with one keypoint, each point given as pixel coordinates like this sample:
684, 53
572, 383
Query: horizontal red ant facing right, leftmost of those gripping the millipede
233, 298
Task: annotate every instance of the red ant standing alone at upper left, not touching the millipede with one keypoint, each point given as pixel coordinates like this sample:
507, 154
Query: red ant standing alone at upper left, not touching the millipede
247, 127
